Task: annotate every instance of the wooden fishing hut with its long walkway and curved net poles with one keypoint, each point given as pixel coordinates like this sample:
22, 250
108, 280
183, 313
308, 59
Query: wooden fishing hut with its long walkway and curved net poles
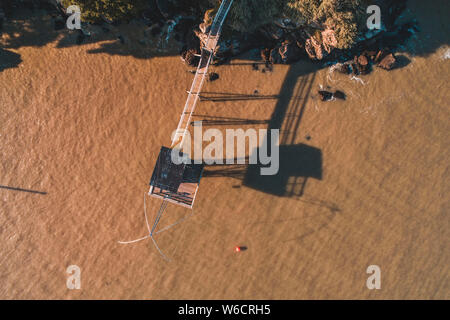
178, 181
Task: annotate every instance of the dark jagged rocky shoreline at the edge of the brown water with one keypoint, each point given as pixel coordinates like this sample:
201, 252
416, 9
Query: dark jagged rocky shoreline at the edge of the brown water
279, 42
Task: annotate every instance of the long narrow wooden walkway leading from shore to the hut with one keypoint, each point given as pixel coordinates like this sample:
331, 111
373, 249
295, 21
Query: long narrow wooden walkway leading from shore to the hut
202, 70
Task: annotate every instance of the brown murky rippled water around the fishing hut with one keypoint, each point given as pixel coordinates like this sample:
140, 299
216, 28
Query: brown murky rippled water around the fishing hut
85, 123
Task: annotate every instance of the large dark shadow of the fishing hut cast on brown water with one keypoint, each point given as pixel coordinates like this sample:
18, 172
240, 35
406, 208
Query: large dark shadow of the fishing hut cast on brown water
297, 162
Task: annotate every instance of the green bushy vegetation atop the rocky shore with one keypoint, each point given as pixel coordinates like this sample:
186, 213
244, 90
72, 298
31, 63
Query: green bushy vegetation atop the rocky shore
345, 17
